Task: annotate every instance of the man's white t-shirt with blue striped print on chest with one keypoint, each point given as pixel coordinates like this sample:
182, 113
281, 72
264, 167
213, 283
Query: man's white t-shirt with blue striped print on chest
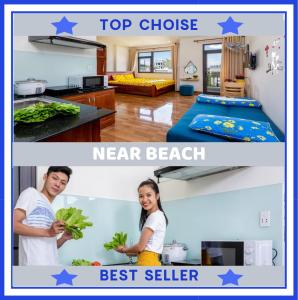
35, 251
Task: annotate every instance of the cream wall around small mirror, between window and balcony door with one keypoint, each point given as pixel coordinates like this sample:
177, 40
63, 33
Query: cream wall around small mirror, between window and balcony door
191, 51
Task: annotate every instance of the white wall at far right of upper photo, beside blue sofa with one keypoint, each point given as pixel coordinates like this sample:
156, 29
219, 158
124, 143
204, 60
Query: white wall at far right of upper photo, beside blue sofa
268, 88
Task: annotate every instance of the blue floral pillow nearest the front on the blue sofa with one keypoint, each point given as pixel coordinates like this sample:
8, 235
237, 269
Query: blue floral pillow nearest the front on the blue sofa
234, 128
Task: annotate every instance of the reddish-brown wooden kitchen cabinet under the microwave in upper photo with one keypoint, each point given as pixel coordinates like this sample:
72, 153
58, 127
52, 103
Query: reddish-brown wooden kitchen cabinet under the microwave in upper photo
99, 99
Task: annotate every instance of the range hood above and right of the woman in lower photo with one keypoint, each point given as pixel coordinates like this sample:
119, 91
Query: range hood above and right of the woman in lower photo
187, 173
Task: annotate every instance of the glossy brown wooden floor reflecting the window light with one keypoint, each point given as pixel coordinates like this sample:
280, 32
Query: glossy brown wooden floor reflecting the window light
145, 119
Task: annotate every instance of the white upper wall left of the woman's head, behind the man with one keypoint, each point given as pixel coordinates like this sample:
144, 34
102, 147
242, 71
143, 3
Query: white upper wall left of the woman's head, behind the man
119, 183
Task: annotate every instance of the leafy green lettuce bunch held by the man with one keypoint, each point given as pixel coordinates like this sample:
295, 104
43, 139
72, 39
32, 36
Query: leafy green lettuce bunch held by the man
75, 222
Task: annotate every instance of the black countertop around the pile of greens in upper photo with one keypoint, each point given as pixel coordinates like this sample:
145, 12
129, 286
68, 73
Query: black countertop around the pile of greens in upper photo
35, 132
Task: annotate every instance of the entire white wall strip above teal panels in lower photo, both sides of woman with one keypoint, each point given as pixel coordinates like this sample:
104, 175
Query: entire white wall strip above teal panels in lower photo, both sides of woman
122, 182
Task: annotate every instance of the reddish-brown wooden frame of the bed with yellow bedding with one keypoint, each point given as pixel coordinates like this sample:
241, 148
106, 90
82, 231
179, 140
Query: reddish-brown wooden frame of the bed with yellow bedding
150, 90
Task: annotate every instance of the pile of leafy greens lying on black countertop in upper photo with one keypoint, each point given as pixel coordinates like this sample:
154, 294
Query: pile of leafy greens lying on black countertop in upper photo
40, 112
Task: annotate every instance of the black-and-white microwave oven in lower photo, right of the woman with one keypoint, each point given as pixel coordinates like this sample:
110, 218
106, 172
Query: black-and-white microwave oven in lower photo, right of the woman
236, 253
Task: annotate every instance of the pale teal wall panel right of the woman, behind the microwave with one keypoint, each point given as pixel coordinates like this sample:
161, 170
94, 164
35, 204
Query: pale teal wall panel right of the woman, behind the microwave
227, 216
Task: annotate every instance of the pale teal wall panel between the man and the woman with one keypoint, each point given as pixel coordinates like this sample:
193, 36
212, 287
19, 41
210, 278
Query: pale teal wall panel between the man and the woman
108, 216
